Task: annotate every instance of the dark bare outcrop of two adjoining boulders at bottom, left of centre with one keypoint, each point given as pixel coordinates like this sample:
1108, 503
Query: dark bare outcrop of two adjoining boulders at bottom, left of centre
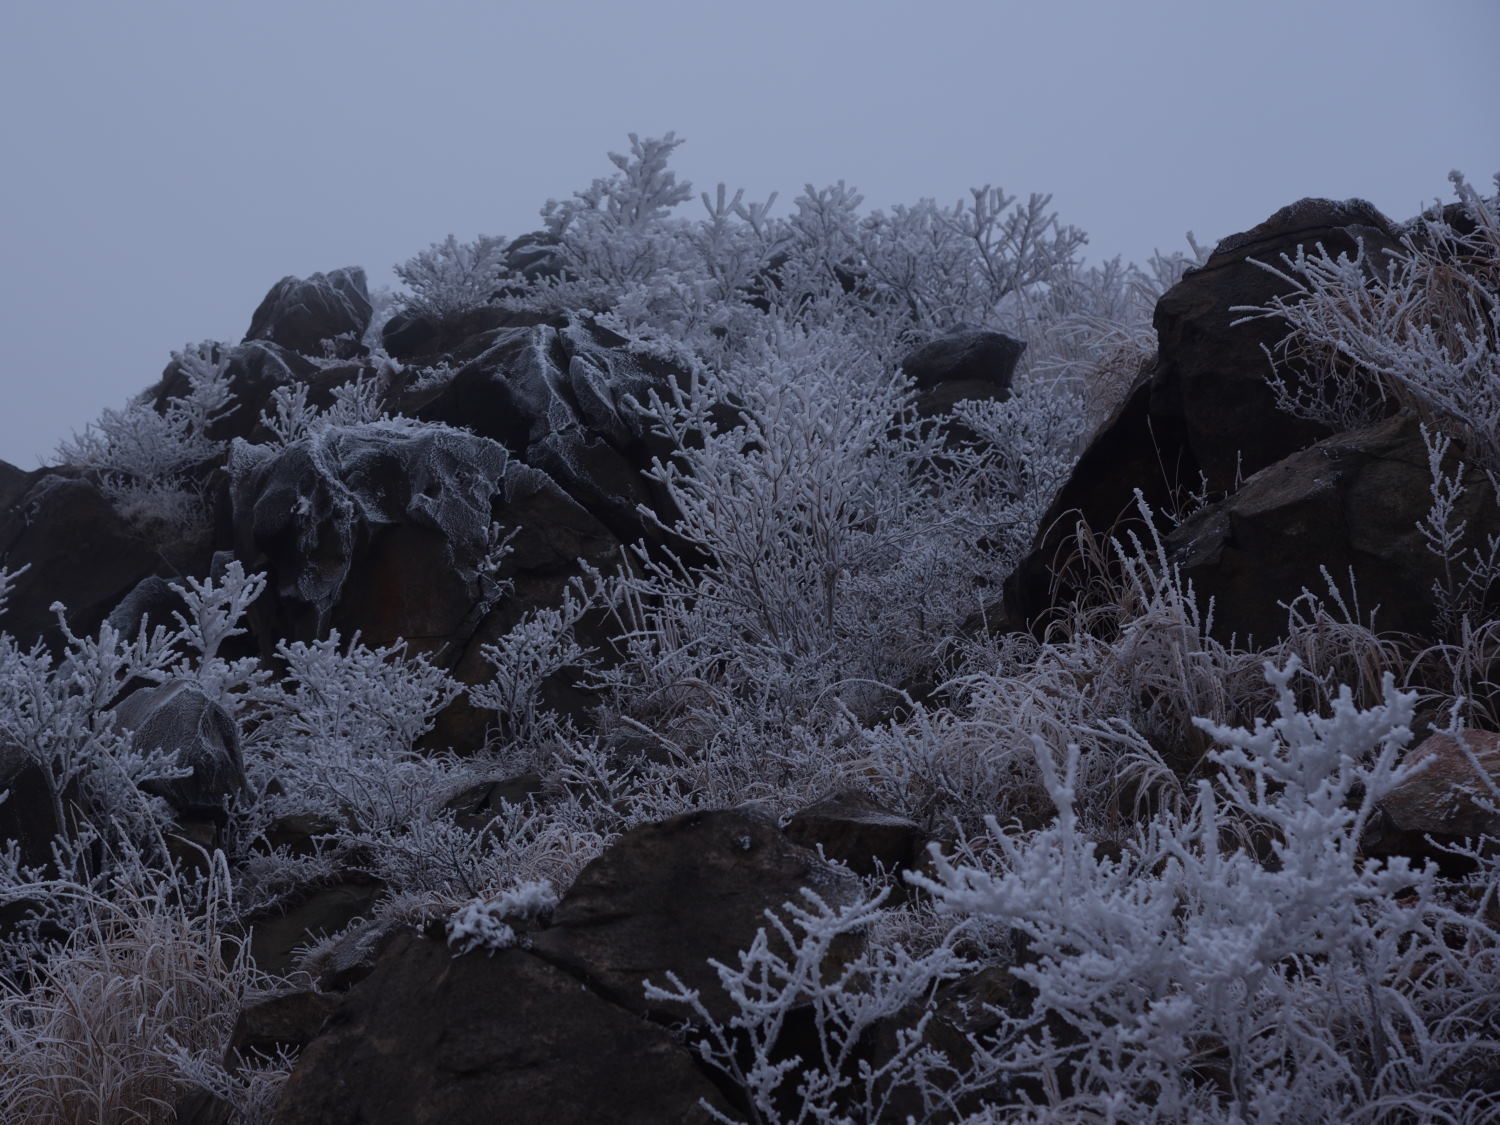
559, 1028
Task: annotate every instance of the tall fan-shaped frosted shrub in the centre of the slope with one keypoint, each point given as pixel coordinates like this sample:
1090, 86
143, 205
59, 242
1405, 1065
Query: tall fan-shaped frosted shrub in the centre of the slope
808, 520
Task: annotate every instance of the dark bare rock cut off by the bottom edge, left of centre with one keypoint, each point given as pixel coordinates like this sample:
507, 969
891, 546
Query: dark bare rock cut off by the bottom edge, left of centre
433, 1039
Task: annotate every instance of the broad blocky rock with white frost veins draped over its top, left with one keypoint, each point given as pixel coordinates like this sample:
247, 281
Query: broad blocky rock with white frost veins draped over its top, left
385, 529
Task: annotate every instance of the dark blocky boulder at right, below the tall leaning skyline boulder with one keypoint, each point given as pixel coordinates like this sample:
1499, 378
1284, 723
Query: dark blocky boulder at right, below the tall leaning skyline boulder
1351, 505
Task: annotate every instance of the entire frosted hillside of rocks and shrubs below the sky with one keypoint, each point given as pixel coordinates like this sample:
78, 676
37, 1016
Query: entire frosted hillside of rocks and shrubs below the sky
718, 670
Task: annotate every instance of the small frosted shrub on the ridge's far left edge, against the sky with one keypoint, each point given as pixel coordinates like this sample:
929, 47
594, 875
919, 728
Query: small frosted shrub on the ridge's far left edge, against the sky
149, 463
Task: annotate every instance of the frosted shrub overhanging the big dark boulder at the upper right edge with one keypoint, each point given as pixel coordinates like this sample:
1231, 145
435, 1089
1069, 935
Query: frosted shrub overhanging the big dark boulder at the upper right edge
1421, 323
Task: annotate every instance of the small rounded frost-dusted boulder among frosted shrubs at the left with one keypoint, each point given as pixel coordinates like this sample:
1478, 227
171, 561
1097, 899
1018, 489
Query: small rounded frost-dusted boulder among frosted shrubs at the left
179, 719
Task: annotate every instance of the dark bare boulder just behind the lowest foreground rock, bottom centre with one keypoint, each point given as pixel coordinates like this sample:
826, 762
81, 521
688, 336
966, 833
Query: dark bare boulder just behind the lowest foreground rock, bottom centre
668, 898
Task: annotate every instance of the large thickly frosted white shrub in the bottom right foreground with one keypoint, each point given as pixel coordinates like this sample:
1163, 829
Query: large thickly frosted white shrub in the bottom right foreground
1184, 980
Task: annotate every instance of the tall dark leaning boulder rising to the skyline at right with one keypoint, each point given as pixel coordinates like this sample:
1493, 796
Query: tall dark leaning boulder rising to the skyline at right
1207, 413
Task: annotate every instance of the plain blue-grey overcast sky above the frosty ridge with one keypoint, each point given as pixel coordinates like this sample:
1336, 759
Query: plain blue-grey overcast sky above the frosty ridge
164, 164
